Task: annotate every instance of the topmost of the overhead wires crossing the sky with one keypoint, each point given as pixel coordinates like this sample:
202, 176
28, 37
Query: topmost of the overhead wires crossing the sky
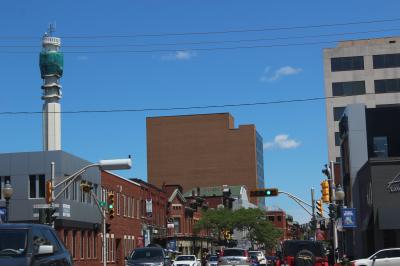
211, 32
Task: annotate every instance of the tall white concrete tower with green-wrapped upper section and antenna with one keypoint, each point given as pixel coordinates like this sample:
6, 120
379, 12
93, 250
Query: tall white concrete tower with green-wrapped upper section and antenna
51, 69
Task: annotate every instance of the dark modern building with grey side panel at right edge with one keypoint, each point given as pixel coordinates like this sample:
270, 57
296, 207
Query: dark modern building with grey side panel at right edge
370, 148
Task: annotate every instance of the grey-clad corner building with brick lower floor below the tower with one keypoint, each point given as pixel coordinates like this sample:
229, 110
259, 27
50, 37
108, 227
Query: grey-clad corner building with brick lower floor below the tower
78, 220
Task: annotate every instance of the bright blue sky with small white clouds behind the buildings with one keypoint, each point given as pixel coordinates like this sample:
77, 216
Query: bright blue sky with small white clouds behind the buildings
294, 134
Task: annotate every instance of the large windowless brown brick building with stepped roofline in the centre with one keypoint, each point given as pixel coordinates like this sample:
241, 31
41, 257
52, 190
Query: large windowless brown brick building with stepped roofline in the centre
204, 150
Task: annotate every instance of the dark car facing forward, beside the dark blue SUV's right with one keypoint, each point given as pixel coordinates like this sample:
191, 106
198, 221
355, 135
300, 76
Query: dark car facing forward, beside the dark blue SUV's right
149, 256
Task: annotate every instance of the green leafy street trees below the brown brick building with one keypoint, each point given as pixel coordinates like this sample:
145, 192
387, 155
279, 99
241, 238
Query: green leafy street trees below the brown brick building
259, 230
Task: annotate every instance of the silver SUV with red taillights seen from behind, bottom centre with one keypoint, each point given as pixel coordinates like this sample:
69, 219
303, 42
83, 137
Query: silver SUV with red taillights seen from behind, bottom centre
234, 257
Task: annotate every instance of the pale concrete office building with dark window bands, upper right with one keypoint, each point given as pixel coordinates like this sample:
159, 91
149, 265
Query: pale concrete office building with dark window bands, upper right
360, 71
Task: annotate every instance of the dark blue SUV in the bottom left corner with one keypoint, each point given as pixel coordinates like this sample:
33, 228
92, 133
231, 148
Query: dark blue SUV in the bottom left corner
32, 245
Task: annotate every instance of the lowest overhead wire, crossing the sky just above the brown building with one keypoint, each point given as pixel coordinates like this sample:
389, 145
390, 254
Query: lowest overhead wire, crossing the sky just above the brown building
180, 108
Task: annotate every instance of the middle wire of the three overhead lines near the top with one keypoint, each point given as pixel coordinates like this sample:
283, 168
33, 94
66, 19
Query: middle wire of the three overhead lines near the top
209, 42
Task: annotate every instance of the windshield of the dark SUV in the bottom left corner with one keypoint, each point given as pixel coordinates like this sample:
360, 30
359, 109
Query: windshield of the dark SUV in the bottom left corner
13, 242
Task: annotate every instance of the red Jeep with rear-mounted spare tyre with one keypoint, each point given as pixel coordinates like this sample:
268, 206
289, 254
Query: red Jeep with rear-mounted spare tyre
300, 252
